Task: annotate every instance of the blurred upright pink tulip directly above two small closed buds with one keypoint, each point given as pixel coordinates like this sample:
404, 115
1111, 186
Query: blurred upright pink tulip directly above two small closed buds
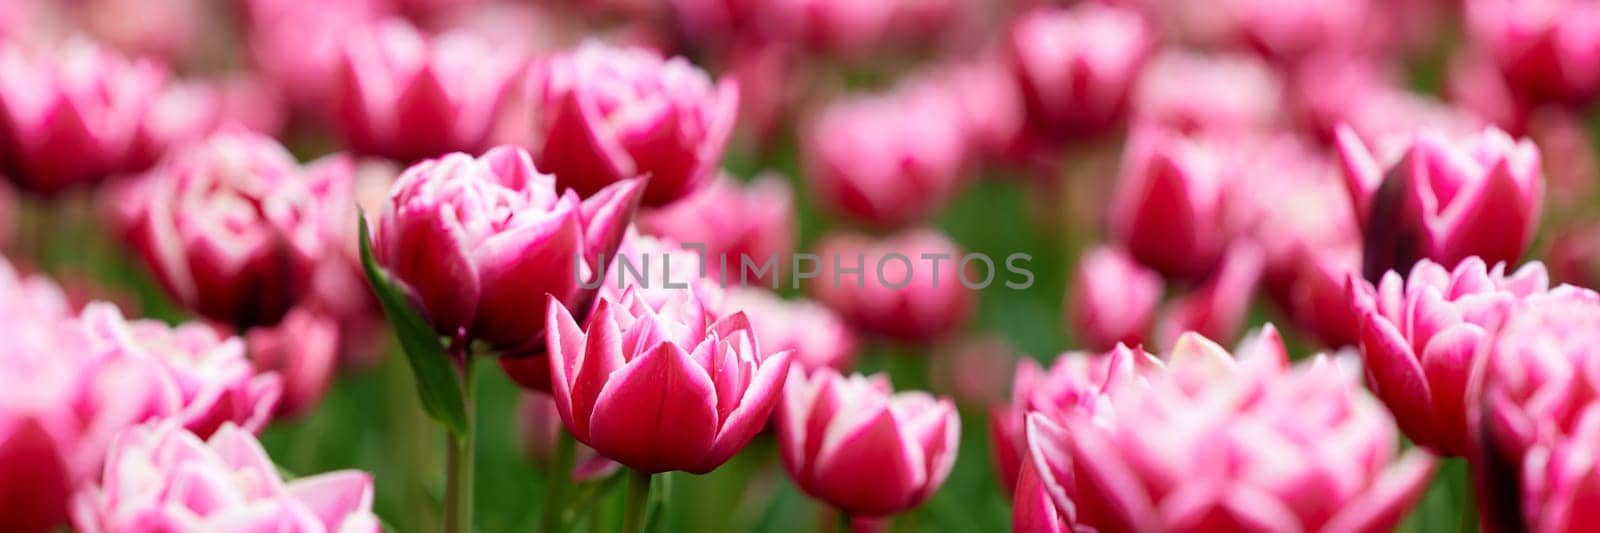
1170, 202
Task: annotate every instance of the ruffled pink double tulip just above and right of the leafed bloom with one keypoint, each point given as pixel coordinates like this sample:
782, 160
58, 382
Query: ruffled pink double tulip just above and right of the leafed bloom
609, 114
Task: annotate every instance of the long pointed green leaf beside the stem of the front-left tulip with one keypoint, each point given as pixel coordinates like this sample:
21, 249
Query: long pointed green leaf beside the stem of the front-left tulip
436, 377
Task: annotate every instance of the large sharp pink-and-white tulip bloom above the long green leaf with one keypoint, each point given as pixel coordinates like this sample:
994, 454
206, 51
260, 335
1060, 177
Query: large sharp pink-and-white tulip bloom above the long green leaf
479, 244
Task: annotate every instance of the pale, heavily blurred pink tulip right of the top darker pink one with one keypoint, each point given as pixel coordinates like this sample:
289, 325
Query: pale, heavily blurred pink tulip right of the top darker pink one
1218, 94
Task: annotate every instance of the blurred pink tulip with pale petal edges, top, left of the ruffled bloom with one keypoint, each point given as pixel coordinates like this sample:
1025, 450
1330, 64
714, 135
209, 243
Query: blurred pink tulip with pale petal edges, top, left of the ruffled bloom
409, 97
